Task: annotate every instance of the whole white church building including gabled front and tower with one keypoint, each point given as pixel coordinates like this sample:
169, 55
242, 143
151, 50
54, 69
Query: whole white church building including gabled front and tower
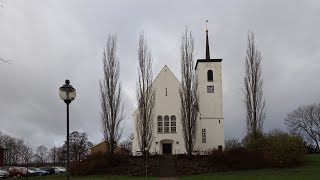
168, 134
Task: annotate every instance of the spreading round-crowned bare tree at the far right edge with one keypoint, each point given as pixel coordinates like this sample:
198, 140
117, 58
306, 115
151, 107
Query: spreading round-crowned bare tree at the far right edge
305, 121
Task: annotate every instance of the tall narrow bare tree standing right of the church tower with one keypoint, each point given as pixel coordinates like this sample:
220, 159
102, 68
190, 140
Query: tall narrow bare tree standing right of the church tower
253, 92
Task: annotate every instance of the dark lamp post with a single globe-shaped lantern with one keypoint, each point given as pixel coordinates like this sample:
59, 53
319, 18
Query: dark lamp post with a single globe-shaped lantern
67, 93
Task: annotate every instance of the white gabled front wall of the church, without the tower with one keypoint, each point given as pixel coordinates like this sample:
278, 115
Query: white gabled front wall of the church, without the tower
167, 103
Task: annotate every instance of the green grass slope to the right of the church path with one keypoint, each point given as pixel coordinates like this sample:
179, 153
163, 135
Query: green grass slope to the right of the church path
311, 170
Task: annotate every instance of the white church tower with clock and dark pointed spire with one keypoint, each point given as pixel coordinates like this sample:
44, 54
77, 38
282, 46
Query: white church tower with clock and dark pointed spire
211, 121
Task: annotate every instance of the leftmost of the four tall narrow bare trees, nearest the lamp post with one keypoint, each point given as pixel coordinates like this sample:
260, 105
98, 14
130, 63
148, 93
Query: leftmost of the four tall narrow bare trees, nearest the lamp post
110, 90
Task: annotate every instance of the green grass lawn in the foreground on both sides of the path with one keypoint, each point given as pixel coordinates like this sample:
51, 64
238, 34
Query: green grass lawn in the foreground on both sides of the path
311, 170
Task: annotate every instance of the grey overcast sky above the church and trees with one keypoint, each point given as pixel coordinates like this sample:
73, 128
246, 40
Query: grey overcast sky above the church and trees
50, 41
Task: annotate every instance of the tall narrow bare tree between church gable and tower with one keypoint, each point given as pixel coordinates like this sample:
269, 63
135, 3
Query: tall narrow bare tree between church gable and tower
188, 92
